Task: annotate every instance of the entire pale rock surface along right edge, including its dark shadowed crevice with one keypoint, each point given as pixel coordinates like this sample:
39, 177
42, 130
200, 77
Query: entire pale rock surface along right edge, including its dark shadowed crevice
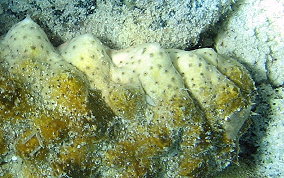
254, 35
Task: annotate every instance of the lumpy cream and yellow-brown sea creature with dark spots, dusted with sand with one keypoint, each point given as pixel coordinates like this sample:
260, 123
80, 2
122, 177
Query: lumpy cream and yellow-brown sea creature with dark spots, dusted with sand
86, 110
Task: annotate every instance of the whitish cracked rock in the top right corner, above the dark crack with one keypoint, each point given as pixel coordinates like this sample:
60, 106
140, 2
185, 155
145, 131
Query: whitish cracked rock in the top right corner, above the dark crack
254, 35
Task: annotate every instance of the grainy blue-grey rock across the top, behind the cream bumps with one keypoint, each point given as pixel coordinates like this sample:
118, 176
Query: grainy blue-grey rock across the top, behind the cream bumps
172, 24
